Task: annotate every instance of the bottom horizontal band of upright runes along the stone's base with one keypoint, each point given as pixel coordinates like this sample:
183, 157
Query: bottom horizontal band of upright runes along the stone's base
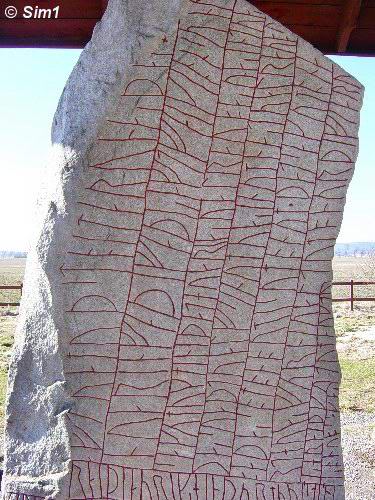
112, 482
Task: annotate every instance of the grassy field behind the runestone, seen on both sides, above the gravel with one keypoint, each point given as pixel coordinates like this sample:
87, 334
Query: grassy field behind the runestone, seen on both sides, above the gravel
357, 391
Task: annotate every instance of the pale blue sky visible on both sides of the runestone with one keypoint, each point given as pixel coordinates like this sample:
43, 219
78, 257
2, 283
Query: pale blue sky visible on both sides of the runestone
30, 87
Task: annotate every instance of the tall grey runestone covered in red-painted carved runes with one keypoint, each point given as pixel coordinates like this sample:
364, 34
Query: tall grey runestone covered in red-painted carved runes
188, 275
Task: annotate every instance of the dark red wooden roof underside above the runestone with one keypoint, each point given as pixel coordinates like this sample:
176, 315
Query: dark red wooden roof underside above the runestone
333, 26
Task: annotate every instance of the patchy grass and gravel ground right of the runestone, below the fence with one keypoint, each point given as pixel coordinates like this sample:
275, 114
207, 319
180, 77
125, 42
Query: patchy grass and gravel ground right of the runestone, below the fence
356, 349
